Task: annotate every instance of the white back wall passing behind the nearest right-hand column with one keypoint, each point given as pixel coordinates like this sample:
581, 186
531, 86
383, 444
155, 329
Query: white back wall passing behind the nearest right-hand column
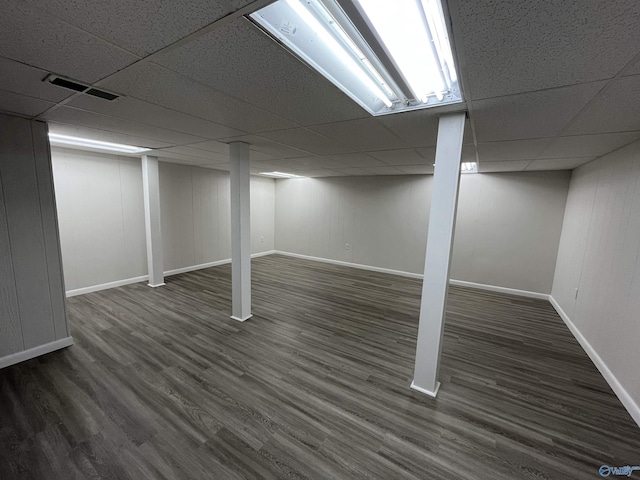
507, 231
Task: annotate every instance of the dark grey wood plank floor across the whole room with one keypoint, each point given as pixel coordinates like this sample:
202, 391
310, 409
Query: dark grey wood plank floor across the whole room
163, 384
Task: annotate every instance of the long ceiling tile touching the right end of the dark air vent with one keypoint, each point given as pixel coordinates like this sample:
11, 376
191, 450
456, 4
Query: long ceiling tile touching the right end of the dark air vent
185, 95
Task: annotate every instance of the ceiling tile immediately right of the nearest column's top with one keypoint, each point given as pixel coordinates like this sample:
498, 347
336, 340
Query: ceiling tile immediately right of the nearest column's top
530, 115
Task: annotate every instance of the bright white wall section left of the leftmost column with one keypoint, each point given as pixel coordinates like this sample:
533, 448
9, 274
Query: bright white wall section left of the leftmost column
101, 217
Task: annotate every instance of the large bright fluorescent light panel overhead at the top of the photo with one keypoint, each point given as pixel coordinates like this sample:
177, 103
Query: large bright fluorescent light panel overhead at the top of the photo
409, 35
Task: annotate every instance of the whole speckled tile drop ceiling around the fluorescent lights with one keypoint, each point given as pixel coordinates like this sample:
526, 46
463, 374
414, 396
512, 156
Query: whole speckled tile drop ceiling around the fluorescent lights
549, 85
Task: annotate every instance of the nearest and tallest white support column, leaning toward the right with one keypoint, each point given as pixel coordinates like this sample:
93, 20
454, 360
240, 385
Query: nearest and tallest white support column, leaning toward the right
442, 218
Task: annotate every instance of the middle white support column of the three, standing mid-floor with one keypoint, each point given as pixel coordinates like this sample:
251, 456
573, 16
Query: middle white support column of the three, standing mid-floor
240, 232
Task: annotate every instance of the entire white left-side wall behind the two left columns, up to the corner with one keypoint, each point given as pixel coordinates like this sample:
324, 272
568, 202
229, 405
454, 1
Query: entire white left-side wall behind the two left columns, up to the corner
101, 212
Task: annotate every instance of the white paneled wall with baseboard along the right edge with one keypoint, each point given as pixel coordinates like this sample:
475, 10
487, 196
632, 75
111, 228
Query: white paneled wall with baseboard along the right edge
599, 254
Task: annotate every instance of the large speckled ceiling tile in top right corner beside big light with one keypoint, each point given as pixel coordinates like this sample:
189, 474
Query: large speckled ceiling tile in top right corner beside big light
513, 47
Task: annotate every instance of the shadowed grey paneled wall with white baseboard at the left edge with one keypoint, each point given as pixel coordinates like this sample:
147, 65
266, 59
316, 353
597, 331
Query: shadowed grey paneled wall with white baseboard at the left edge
32, 307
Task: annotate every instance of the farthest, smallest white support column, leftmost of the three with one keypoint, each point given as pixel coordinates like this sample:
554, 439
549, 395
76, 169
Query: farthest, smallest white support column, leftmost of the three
151, 190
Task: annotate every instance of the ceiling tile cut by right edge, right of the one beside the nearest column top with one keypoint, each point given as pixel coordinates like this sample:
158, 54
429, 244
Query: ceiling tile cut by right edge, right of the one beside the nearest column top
615, 109
